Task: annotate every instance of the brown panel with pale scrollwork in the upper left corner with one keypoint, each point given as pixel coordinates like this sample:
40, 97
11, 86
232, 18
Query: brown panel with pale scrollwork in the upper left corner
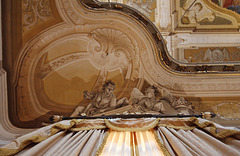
35, 11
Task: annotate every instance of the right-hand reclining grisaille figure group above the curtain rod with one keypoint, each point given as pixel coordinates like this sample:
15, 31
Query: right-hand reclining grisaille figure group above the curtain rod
151, 103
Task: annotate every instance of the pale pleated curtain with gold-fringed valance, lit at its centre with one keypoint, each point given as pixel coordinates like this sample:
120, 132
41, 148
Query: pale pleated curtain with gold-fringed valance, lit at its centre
144, 136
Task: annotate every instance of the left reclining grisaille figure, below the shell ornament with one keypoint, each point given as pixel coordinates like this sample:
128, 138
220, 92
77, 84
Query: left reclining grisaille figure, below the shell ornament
102, 101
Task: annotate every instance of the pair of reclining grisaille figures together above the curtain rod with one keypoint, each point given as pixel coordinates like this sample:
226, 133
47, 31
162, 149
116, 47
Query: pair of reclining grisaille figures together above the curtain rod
150, 102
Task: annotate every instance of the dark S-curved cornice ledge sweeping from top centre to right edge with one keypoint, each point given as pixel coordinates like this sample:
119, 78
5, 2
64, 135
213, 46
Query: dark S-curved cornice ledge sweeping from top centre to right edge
164, 59
